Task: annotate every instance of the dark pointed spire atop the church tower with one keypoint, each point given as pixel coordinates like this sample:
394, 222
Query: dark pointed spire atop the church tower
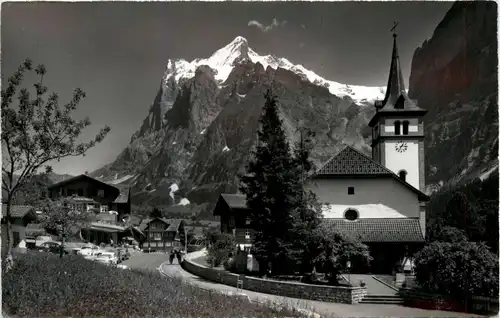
395, 84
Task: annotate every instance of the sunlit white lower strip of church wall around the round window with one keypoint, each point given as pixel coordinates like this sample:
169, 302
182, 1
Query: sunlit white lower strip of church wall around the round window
366, 211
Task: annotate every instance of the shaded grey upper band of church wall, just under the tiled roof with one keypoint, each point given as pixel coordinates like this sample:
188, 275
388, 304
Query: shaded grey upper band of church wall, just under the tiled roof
386, 191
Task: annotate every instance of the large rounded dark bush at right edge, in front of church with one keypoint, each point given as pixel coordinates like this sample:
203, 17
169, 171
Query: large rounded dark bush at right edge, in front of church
459, 269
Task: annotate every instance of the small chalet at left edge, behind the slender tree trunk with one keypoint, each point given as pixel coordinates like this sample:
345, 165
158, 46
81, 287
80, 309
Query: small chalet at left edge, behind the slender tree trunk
22, 215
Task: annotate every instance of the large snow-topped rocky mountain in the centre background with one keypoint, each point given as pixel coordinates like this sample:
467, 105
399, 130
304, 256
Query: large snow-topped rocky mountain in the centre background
203, 123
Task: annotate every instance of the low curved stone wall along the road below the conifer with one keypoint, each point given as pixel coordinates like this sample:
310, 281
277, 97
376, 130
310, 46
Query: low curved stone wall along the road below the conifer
337, 294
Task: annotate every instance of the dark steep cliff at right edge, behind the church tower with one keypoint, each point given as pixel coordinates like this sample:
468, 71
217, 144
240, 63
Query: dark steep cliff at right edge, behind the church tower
454, 76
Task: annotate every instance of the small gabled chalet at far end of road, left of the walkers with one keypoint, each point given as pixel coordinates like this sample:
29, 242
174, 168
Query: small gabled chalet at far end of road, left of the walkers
162, 234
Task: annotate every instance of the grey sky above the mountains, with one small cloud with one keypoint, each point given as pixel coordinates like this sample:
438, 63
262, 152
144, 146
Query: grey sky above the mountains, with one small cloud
117, 52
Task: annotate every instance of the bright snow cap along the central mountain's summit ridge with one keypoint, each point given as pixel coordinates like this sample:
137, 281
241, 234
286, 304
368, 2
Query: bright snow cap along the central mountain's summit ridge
223, 60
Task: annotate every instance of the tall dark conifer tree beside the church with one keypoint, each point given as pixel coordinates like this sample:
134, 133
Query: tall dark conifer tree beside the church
272, 186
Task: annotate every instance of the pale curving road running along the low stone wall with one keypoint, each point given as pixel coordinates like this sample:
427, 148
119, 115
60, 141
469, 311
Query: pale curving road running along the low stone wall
155, 261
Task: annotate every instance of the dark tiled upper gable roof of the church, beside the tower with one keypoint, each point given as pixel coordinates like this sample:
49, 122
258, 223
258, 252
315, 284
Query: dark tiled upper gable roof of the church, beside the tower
349, 162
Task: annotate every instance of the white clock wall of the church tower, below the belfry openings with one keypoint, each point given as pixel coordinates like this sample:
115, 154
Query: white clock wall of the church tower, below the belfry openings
406, 159
